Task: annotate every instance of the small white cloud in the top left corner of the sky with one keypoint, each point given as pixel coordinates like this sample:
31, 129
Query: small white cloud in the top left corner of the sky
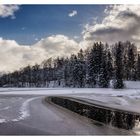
8, 10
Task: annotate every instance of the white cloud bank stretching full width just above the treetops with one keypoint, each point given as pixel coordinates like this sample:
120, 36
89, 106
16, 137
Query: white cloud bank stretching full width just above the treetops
120, 23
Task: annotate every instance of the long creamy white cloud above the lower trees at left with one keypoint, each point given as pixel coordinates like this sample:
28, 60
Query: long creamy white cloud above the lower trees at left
14, 56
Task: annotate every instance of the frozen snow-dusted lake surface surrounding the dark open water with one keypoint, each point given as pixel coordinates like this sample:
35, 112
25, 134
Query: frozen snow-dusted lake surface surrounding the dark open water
23, 111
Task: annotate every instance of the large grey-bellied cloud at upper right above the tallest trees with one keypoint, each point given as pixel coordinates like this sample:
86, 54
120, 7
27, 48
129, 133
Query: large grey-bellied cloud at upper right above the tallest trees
121, 23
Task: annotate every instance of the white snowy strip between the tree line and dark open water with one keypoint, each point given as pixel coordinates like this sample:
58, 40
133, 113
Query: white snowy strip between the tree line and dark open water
127, 99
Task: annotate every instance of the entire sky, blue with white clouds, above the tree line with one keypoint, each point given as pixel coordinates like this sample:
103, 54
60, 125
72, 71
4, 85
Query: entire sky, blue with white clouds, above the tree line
31, 33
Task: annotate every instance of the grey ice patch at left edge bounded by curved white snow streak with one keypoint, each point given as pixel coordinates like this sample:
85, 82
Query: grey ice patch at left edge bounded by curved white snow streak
14, 109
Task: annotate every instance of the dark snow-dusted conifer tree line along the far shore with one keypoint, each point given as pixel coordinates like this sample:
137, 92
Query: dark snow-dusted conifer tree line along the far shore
96, 66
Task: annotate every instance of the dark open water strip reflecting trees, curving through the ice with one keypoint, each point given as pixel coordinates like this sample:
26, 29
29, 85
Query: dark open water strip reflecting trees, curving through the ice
117, 118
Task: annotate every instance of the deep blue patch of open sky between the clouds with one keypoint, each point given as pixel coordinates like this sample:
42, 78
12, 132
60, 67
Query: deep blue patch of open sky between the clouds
33, 22
